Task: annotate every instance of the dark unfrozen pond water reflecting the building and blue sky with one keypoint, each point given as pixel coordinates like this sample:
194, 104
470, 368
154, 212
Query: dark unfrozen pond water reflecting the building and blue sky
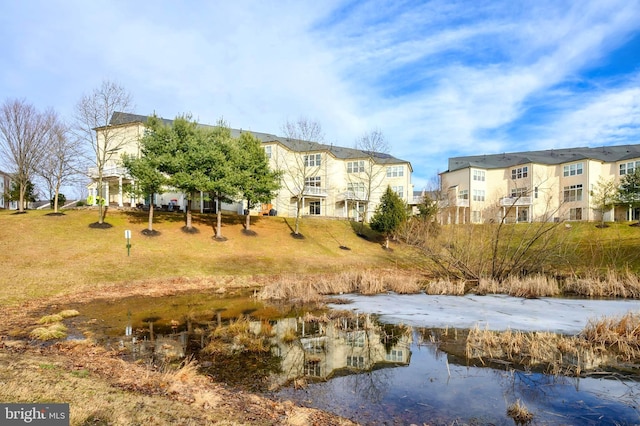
360, 368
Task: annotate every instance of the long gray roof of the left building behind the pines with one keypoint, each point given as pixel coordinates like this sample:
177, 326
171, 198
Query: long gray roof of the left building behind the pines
296, 145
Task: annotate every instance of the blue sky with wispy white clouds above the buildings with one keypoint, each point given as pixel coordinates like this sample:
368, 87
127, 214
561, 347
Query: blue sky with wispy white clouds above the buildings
438, 78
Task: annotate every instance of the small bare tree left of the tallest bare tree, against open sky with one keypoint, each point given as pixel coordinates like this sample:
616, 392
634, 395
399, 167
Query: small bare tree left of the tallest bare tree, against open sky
62, 162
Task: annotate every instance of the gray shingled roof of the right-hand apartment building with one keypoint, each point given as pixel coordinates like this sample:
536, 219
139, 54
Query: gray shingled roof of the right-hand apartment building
608, 154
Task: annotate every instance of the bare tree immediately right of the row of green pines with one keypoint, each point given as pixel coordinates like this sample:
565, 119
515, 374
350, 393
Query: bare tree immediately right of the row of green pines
303, 166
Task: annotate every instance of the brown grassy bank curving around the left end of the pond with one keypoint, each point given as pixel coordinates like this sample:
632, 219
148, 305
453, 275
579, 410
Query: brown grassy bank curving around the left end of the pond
103, 389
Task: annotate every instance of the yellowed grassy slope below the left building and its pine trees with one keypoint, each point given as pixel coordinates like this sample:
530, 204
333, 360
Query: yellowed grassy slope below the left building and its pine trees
44, 255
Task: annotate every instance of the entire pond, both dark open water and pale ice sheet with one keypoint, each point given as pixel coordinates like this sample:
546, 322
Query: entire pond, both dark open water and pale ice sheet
387, 359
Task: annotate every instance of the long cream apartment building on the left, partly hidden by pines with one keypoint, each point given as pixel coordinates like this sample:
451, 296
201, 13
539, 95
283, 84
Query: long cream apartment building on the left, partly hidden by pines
323, 179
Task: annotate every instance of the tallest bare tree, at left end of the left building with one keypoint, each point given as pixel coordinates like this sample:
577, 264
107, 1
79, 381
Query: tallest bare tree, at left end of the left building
93, 115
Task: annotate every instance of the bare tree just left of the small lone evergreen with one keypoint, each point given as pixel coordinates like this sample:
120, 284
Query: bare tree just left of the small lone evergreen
367, 175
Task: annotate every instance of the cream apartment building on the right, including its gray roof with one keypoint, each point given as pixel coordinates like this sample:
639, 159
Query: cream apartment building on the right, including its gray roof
548, 185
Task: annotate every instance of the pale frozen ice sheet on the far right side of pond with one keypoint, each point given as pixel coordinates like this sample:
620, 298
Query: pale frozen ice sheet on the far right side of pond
495, 312
